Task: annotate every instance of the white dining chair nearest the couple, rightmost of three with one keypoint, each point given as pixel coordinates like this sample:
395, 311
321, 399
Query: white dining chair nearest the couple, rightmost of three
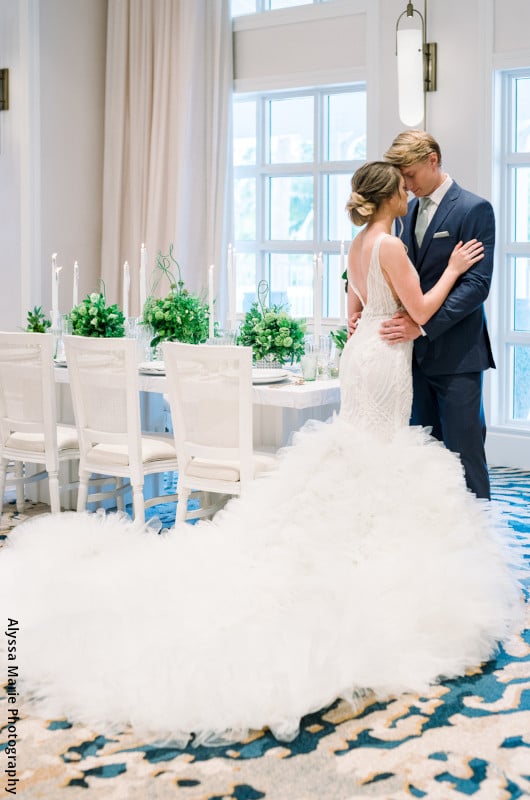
210, 397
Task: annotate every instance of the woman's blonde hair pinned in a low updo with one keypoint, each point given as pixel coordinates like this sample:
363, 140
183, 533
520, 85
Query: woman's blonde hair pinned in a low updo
371, 184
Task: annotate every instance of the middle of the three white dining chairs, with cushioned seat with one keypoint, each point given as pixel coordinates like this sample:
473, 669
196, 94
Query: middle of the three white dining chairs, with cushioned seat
106, 402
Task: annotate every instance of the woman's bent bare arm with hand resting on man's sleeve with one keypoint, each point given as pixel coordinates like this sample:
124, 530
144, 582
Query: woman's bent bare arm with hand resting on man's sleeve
404, 280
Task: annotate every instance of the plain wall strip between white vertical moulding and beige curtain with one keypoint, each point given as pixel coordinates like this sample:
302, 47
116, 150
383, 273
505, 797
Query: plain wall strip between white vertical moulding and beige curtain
72, 77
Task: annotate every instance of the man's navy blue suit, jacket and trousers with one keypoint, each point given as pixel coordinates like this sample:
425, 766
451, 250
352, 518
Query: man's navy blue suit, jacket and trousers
449, 361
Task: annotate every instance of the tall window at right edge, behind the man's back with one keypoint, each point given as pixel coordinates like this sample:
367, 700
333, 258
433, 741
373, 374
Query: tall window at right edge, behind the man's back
514, 253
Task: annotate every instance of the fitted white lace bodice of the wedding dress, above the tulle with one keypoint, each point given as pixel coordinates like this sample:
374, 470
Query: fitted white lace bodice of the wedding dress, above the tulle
376, 381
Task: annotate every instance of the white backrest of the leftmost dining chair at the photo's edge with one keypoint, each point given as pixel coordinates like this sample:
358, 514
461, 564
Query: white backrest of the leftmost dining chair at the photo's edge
27, 388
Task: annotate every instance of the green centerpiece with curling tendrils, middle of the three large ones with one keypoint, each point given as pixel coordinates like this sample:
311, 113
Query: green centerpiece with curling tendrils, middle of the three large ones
179, 316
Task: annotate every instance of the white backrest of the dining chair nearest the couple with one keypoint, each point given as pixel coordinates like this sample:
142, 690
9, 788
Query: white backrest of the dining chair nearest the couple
210, 393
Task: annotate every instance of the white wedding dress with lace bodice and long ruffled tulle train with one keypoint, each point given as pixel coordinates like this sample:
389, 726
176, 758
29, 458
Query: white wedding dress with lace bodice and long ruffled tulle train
361, 564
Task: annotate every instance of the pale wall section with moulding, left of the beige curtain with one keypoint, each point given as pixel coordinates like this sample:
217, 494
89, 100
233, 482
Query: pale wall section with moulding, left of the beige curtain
51, 149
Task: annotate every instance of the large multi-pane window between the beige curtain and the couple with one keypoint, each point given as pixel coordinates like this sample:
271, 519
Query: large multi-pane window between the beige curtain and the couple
294, 155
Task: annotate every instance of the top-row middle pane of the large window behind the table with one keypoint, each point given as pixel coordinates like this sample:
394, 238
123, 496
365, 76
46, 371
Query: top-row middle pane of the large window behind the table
291, 130
